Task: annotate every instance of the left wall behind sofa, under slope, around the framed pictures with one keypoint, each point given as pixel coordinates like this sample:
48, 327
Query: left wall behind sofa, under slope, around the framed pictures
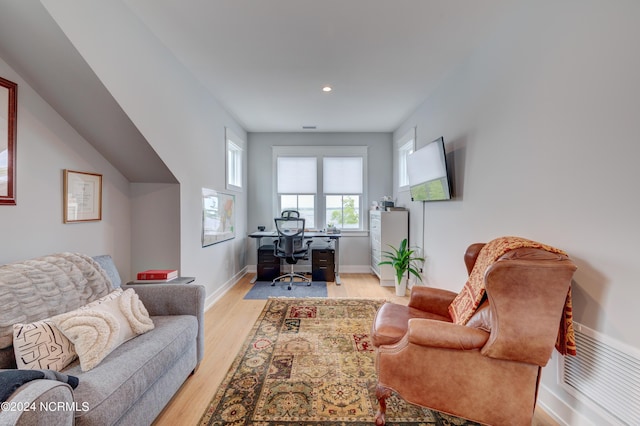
46, 145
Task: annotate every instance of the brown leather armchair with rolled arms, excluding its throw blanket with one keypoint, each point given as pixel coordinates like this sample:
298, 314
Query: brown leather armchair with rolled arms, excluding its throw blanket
487, 370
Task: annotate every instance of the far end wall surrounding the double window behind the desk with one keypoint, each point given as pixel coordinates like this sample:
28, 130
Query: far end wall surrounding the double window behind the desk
354, 250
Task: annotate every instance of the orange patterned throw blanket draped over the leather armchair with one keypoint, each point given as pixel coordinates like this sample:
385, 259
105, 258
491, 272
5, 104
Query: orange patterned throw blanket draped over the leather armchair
467, 301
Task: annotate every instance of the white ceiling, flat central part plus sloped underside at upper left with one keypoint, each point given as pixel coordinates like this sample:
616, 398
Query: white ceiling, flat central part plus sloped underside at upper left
264, 60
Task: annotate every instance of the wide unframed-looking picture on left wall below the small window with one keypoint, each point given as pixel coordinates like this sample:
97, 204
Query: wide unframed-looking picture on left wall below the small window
218, 217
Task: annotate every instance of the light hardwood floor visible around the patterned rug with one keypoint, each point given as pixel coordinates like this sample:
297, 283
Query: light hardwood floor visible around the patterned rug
228, 322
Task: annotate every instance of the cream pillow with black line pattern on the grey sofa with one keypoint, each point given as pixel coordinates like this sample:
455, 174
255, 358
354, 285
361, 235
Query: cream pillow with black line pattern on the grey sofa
41, 346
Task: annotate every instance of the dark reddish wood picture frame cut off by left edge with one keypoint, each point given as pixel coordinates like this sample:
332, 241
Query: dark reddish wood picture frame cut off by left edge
8, 112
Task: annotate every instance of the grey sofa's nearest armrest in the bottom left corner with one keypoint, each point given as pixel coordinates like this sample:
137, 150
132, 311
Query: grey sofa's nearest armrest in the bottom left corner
40, 402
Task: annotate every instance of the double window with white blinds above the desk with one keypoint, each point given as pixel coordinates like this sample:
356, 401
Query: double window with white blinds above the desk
325, 184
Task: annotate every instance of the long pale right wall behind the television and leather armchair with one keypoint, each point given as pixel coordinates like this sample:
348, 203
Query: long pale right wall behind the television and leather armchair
542, 128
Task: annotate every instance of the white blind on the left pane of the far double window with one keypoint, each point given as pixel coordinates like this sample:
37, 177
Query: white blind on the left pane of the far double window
297, 175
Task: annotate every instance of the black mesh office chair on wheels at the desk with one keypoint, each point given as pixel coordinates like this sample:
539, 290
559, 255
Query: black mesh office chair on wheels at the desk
291, 246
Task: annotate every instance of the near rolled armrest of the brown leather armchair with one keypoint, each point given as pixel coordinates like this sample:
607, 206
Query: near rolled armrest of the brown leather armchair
445, 335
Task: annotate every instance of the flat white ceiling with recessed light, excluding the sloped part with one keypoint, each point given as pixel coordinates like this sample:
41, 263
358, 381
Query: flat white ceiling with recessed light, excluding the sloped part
266, 61
